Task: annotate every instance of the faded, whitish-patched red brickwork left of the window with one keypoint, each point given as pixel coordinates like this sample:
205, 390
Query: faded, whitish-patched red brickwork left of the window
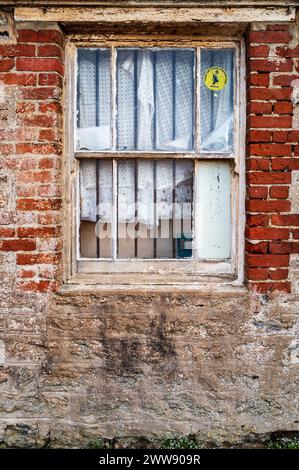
30, 147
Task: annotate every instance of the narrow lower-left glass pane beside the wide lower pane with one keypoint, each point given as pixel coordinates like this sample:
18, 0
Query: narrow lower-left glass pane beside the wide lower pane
96, 208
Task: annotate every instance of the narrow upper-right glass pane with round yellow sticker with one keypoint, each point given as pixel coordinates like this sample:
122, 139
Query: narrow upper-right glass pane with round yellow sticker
217, 100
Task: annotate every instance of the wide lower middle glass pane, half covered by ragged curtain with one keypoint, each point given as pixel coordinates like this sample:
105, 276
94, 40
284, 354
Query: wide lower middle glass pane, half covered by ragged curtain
155, 208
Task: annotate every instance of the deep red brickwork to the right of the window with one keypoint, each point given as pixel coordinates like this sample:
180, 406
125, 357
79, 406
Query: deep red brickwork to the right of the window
272, 155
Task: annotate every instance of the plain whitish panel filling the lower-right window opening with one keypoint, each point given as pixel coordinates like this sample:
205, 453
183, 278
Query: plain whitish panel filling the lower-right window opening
213, 210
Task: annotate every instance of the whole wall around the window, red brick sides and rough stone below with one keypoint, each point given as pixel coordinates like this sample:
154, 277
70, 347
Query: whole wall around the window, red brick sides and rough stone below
144, 364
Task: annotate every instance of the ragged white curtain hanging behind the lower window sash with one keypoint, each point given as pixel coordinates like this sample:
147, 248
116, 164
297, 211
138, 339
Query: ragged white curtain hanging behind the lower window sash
171, 179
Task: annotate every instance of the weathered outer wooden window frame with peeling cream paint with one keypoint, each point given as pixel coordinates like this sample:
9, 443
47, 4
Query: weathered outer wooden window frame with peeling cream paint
231, 269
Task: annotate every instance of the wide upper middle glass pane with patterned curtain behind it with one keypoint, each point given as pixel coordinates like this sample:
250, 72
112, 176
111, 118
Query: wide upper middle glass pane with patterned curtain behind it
155, 95
